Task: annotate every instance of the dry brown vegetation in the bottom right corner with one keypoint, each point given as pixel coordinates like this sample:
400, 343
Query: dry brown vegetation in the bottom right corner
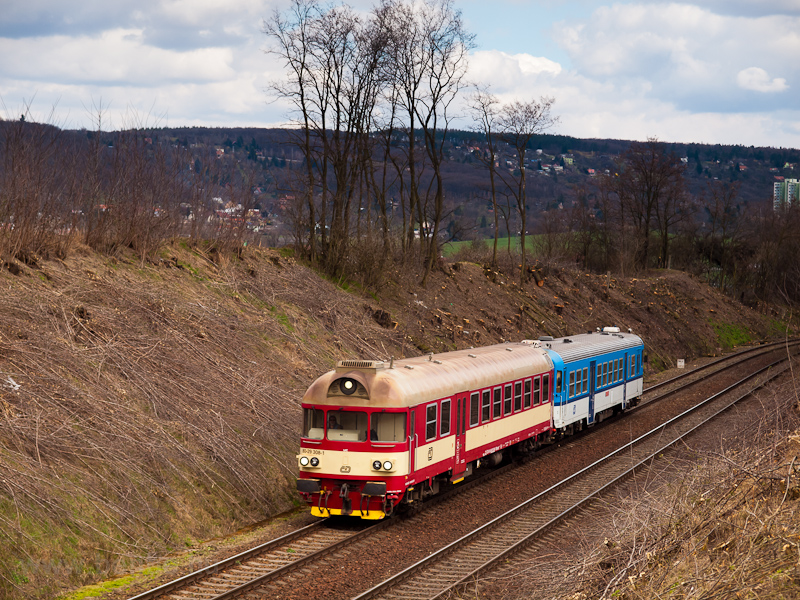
726, 525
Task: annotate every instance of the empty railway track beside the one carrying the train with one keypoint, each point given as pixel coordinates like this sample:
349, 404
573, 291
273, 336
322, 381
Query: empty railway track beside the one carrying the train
459, 563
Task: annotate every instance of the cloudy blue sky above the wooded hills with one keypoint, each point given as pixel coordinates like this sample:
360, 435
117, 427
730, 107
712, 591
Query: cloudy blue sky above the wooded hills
709, 71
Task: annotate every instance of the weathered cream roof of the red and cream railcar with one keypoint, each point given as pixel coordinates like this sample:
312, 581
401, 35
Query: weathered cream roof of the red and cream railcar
412, 381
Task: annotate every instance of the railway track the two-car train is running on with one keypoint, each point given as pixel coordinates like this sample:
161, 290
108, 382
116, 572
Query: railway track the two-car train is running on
275, 561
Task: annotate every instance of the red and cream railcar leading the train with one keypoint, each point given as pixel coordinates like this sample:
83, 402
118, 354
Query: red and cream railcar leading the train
376, 434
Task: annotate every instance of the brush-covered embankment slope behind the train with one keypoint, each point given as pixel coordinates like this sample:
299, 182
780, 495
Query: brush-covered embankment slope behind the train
149, 406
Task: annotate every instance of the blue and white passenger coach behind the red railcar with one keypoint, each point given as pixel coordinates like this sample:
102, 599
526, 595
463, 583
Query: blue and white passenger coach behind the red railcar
596, 375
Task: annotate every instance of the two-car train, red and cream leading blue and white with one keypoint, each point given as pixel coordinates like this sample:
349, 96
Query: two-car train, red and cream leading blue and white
377, 434
